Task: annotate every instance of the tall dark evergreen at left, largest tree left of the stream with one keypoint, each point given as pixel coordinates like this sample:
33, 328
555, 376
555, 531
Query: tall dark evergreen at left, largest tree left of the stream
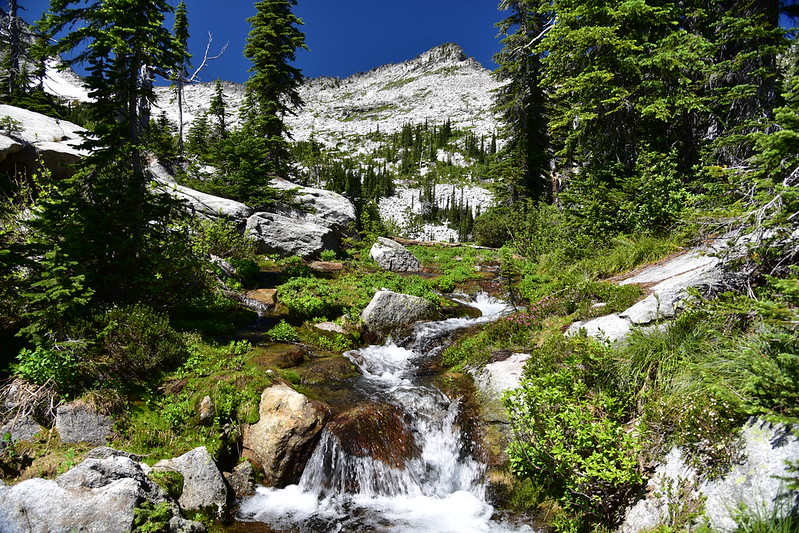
105, 219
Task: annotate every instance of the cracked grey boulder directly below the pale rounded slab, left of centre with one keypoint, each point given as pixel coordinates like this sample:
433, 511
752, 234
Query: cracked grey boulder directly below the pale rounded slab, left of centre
278, 234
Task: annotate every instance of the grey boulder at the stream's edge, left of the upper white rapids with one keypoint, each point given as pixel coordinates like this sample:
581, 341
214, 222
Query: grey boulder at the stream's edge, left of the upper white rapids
389, 310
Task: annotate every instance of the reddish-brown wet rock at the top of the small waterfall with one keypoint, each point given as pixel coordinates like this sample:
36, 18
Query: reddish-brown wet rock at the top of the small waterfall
376, 431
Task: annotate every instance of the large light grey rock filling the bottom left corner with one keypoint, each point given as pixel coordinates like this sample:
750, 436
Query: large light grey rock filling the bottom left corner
98, 495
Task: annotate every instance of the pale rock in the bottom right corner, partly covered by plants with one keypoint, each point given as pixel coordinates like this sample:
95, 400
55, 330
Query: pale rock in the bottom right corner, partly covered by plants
756, 484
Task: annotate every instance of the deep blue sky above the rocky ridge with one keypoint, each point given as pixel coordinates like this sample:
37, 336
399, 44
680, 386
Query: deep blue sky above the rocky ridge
345, 36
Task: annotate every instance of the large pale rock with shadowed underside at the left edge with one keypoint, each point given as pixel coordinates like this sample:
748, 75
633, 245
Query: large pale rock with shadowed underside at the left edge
29, 140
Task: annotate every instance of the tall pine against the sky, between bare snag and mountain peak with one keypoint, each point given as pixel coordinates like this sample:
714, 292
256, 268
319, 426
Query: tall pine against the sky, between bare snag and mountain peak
272, 89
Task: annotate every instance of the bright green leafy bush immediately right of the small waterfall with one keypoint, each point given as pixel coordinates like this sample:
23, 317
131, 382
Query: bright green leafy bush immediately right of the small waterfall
569, 433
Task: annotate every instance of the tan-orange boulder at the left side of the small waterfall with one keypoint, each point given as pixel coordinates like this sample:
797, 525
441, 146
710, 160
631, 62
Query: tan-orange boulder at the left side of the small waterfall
284, 437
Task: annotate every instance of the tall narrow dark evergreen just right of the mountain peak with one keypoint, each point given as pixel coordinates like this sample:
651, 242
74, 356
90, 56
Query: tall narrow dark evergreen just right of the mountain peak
521, 101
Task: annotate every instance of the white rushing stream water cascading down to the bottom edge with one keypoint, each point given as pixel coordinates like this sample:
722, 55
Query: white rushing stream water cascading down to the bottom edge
439, 489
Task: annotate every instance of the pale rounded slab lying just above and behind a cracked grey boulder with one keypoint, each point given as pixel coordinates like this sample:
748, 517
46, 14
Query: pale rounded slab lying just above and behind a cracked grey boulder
319, 206
